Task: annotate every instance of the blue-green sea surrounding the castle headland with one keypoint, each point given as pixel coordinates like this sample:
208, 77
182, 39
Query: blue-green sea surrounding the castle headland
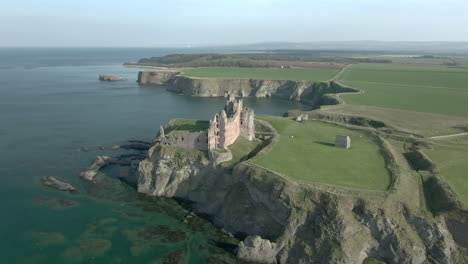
51, 105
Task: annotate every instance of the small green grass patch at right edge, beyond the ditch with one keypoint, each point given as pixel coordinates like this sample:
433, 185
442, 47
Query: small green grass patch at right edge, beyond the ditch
451, 157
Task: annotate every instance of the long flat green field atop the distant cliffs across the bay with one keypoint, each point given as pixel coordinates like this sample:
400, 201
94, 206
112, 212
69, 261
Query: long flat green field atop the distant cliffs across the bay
309, 74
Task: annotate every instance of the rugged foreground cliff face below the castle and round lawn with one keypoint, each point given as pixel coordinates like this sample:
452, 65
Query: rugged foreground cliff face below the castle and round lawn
286, 222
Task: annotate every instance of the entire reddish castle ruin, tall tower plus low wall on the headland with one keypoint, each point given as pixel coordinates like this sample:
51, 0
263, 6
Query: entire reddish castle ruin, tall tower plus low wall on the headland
223, 130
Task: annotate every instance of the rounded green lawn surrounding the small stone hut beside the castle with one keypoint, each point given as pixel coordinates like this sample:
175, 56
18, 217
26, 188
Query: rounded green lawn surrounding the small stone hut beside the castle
306, 152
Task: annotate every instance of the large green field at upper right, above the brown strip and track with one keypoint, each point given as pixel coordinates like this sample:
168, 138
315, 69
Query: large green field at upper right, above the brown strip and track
440, 90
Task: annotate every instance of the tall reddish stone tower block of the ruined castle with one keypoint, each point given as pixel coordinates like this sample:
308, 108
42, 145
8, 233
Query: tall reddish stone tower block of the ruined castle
233, 121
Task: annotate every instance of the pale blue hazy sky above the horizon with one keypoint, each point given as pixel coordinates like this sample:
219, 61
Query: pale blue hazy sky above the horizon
170, 23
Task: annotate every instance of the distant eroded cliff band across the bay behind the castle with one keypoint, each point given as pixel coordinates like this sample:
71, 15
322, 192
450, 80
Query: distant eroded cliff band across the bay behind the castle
305, 91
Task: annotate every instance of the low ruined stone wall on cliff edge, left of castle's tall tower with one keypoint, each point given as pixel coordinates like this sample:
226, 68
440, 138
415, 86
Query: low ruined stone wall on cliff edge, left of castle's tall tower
188, 140
